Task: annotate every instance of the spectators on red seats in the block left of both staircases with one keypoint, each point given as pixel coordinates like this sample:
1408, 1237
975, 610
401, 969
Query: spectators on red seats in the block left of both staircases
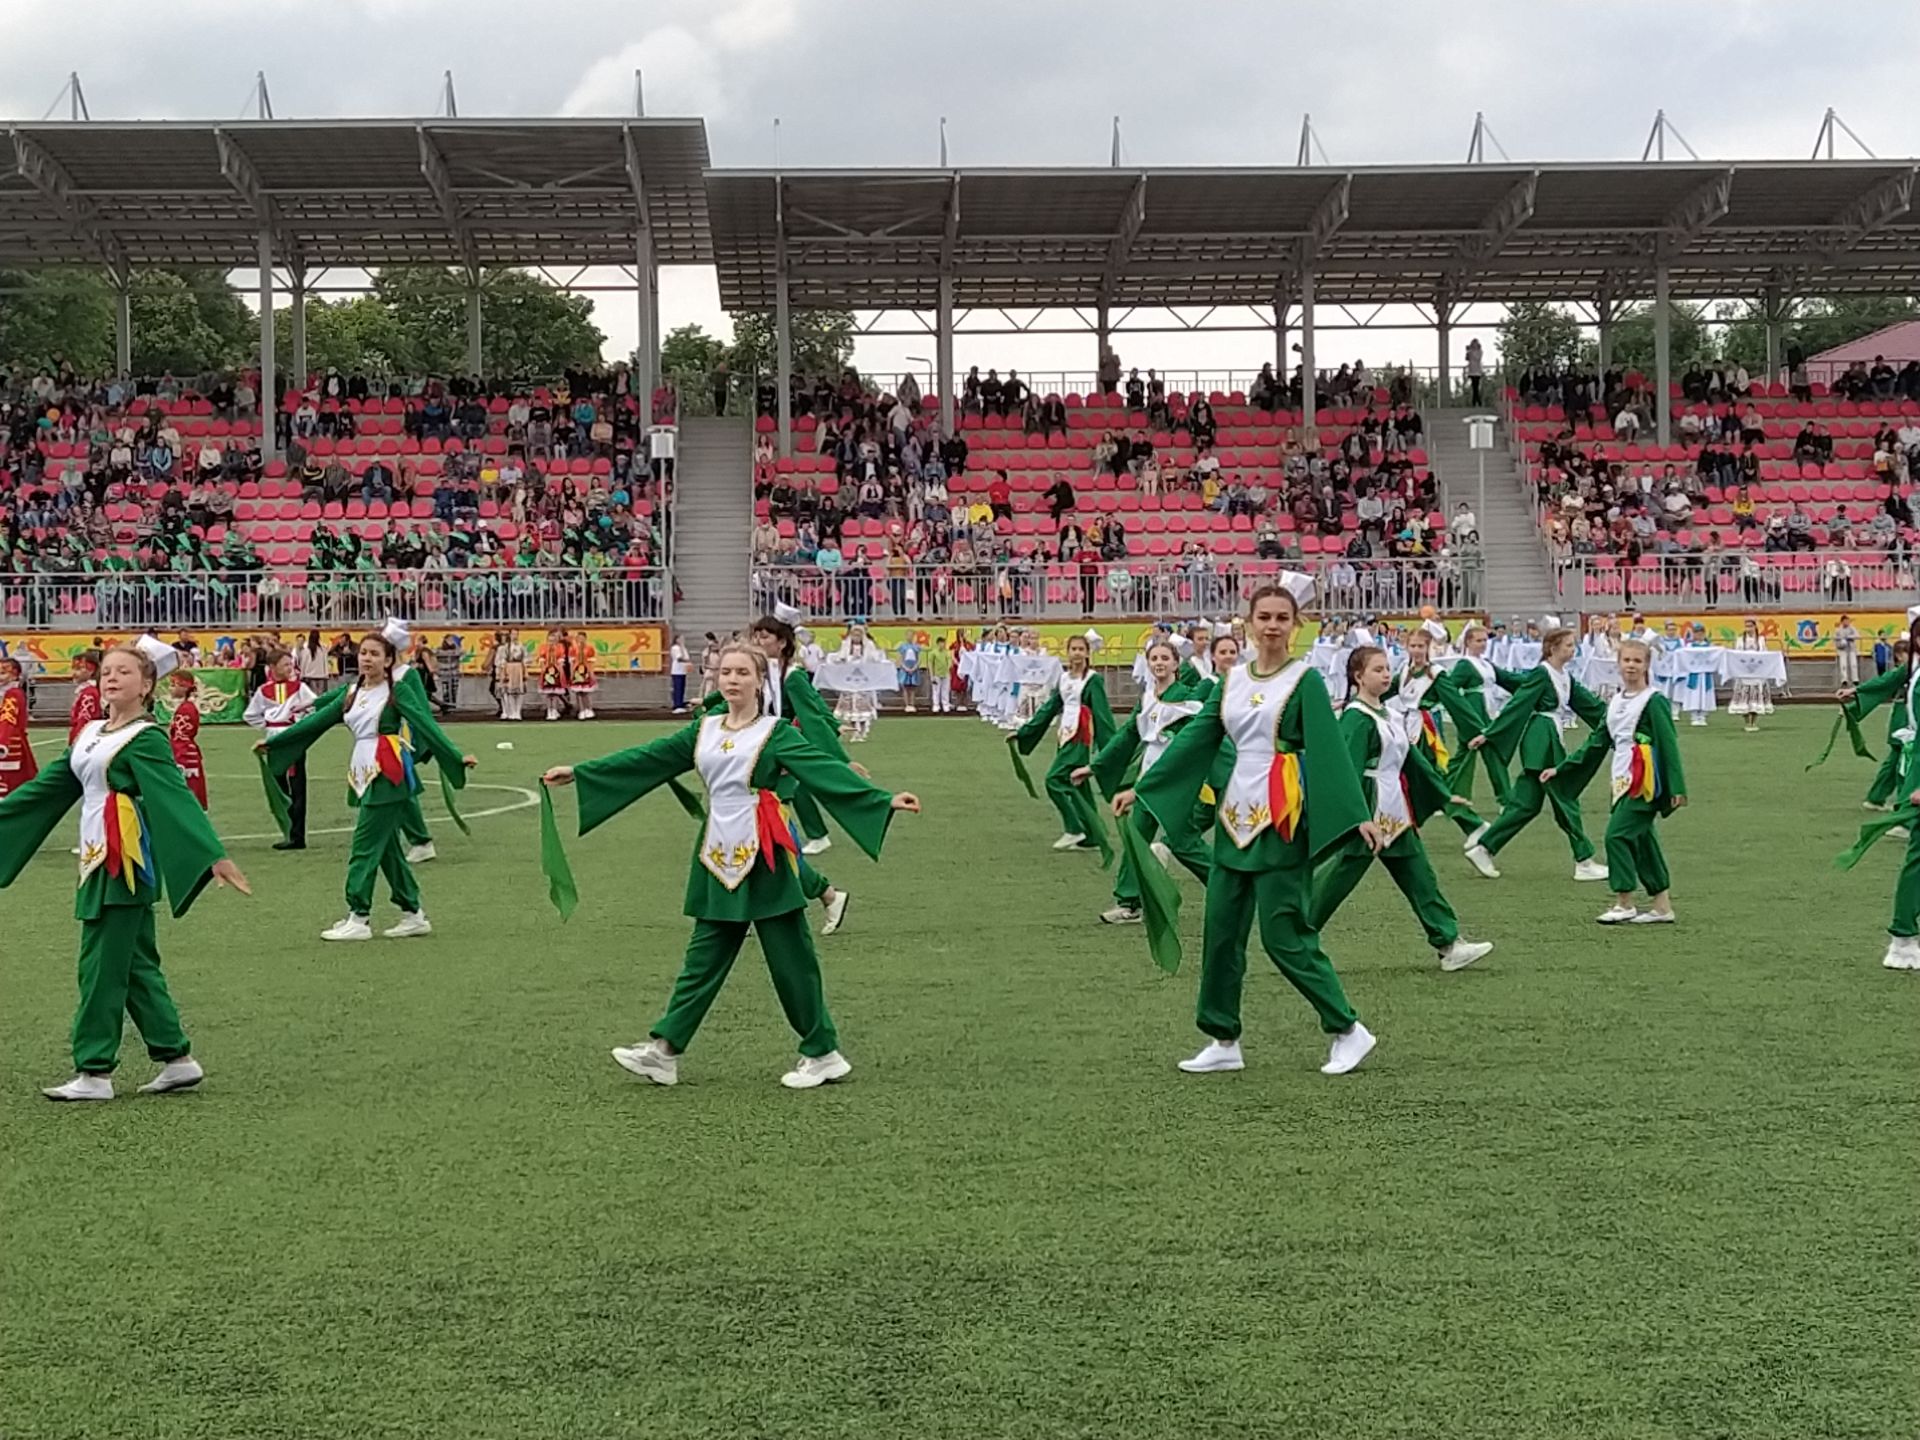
143, 500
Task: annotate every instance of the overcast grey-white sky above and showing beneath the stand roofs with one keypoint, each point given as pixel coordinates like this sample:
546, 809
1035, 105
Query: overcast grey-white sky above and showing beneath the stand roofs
865, 84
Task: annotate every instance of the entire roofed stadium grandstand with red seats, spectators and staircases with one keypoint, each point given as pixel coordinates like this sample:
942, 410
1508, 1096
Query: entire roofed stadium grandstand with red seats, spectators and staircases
312, 500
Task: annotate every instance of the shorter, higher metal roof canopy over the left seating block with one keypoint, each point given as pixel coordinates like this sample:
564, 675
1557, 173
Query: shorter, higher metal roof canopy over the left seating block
471, 193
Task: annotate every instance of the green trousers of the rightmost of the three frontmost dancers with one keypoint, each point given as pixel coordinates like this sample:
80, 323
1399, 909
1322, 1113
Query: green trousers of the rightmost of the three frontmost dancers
1280, 898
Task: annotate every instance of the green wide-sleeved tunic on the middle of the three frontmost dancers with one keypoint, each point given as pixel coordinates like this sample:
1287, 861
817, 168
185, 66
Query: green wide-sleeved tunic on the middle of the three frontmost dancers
865, 811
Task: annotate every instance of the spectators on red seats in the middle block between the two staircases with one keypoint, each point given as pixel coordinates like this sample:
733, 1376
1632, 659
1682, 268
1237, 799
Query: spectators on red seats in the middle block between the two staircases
903, 519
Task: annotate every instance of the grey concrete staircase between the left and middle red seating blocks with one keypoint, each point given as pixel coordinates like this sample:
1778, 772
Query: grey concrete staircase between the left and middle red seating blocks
713, 527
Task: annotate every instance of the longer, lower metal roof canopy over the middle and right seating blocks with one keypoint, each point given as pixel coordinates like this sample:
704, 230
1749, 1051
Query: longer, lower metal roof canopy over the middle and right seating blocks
1034, 239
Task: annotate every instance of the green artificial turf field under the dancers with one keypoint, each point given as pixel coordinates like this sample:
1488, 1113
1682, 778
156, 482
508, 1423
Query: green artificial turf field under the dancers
1604, 1186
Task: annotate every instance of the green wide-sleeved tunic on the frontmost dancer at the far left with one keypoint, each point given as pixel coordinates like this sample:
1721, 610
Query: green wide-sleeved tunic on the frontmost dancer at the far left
180, 834
